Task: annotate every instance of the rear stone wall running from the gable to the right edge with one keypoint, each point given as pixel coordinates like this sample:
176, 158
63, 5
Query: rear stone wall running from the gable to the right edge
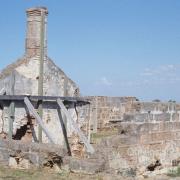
106, 110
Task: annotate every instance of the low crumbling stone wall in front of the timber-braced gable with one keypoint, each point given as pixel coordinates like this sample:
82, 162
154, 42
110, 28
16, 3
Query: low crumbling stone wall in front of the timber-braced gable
17, 154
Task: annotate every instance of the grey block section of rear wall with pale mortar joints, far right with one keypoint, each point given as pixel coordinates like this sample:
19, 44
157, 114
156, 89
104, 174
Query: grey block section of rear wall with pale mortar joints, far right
153, 112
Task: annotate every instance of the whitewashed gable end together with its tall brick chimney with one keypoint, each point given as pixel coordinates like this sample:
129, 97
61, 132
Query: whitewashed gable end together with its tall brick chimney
21, 78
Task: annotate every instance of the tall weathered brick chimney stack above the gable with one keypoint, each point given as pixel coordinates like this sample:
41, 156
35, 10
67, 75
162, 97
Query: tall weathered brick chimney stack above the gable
36, 31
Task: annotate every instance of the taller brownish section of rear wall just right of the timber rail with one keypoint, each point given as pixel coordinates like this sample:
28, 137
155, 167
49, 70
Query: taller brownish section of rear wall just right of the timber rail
104, 110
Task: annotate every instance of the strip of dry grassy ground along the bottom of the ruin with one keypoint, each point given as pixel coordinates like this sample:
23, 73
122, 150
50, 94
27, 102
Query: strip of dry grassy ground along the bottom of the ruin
46, 174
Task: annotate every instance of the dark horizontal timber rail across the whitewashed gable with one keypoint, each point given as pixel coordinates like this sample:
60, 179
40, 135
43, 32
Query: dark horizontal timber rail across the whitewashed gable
79, 101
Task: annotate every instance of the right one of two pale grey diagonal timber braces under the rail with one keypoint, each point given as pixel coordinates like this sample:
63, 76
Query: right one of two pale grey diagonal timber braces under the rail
88, 146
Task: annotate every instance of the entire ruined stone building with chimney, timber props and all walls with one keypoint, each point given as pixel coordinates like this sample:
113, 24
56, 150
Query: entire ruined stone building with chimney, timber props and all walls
44, 120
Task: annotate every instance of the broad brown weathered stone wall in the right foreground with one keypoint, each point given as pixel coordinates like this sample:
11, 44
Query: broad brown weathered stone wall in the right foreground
139, 146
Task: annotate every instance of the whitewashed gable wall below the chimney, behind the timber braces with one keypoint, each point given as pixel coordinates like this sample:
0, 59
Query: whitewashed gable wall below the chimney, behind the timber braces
26, 76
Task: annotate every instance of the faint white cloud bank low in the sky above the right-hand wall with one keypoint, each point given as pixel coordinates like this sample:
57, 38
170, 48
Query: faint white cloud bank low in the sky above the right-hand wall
161, 75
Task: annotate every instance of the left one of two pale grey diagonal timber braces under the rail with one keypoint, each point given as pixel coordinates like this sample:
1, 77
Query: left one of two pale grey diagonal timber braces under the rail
38, 118
